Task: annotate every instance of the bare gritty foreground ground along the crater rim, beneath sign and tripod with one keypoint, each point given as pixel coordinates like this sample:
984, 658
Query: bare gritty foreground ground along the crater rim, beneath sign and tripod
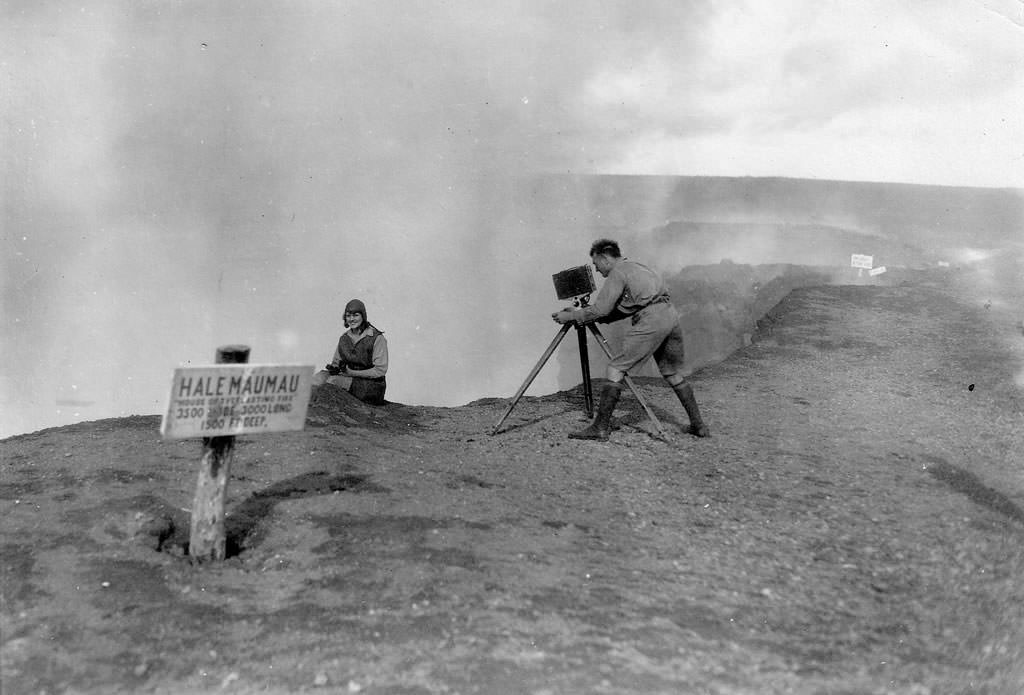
855, 526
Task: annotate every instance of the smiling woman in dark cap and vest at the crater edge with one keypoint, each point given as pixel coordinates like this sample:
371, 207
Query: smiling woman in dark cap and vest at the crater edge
361, 359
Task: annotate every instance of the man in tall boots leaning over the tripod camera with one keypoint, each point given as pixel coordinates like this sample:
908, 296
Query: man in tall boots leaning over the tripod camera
635, 292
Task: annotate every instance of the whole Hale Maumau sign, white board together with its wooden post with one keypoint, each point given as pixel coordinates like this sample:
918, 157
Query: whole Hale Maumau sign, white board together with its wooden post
219, 403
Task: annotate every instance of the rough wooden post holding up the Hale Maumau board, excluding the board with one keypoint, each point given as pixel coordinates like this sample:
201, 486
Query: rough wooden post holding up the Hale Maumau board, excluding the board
207, 540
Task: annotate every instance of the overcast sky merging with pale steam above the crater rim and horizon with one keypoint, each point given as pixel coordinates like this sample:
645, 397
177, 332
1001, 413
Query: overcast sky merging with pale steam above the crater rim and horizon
179, 176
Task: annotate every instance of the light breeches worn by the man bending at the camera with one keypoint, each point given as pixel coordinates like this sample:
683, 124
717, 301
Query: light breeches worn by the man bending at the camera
657, 334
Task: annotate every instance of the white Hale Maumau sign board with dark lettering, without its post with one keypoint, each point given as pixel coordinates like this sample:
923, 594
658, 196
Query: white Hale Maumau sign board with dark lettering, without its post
229, 400
